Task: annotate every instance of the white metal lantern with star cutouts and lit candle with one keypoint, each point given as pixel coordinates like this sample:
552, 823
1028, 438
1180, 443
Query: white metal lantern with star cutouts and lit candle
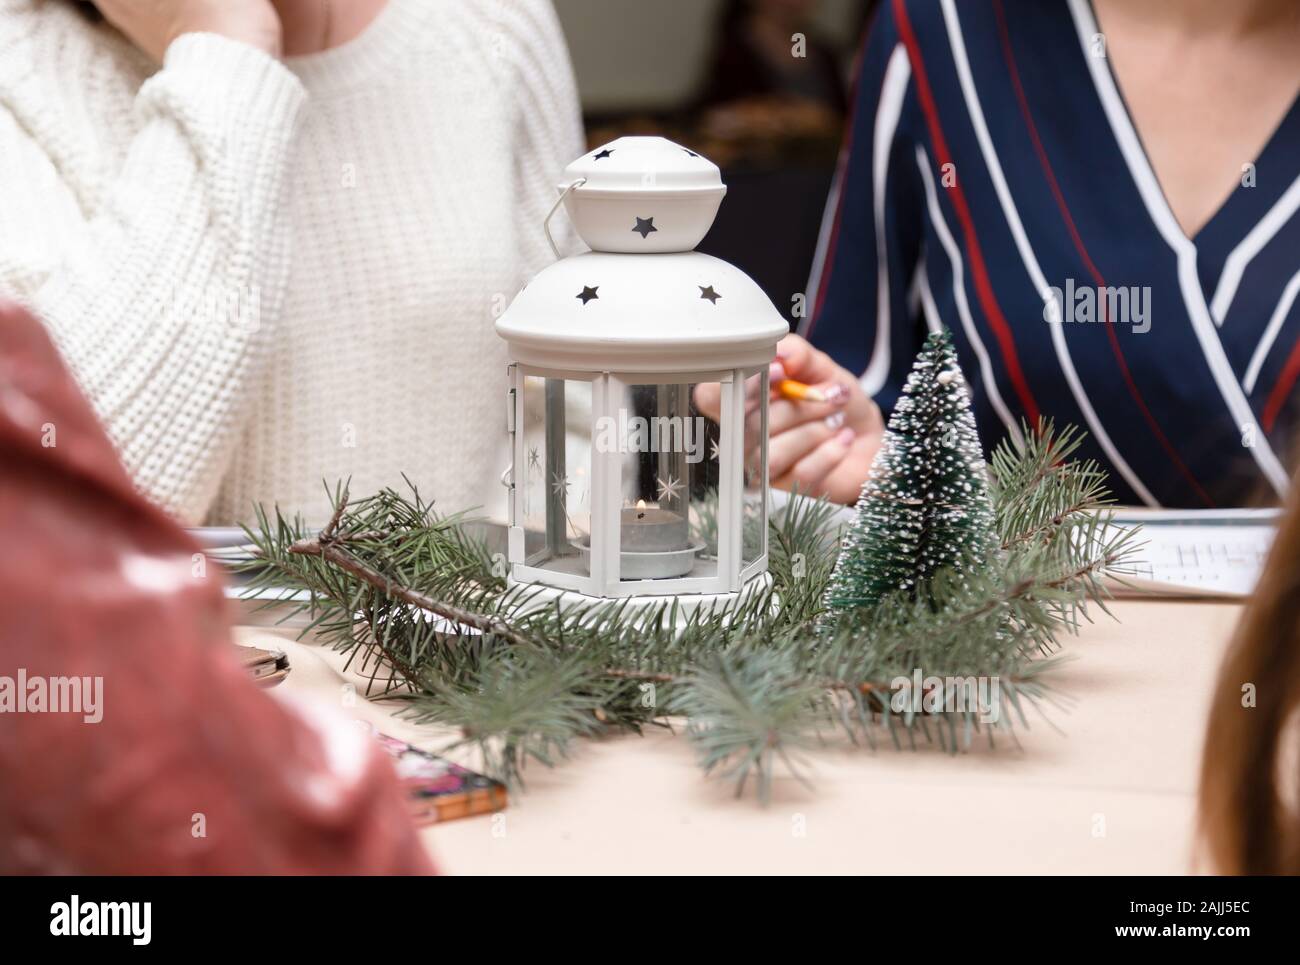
619, 486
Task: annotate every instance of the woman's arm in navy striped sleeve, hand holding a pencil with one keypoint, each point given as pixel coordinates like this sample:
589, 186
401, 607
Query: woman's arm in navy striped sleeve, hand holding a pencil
861, 336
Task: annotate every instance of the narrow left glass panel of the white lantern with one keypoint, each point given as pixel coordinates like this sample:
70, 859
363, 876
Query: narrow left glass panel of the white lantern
556, 501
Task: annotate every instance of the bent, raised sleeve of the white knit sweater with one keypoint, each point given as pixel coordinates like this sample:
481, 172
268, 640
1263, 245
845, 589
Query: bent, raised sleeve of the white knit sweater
158, 295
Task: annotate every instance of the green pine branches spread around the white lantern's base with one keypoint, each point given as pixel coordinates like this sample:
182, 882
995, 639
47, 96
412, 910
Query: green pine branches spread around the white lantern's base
759, 685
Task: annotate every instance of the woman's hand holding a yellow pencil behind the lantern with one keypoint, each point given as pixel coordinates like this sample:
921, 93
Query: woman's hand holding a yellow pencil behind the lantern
818, 448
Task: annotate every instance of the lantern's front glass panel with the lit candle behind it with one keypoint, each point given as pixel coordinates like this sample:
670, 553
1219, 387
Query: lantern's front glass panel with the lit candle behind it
670, 457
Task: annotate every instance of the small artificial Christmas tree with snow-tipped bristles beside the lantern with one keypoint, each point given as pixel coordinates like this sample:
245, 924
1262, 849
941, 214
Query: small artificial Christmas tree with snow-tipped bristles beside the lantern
926, 504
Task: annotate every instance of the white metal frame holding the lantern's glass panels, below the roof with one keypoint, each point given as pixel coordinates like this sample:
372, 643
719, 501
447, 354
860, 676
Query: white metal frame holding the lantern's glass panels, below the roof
604, 581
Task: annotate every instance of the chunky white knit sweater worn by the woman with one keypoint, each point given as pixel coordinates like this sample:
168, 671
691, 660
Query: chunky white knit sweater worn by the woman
266, 278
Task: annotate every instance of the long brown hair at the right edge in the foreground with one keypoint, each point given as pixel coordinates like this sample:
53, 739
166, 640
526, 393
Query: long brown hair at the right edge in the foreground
1251, 765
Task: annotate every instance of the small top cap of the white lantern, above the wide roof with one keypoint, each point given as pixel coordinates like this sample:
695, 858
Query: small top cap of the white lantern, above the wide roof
642, 196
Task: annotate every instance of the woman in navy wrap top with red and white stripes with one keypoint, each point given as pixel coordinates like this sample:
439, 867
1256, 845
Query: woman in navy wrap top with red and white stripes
1103, 204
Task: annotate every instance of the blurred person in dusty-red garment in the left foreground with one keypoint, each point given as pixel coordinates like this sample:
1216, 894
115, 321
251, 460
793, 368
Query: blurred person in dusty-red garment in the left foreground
137, 745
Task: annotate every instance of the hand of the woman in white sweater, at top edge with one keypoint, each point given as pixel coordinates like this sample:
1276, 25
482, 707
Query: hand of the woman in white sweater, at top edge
153, 25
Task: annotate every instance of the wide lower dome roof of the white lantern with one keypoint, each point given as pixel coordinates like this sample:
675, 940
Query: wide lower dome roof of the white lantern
673, 313
